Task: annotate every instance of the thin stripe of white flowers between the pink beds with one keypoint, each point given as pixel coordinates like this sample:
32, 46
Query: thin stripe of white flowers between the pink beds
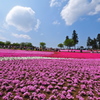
16, 58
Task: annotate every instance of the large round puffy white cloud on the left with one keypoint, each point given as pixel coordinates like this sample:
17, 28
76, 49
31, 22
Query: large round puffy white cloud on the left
23, 18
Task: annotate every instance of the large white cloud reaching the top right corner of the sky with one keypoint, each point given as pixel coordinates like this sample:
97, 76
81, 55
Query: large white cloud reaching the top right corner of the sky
77, 8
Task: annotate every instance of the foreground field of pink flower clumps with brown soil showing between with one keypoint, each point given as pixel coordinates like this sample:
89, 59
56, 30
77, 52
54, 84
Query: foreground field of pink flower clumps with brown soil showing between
50, 79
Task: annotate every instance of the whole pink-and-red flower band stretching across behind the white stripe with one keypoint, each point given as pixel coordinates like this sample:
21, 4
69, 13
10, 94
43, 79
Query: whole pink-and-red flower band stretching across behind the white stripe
23, 53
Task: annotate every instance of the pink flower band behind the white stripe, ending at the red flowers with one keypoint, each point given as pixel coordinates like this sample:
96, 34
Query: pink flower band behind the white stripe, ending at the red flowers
22, 53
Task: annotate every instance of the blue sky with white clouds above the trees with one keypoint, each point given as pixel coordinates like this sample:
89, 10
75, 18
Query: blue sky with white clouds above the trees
48, 21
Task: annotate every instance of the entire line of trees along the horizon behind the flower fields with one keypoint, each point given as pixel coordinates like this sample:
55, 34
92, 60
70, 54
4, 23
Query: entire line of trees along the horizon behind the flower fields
68, 42
